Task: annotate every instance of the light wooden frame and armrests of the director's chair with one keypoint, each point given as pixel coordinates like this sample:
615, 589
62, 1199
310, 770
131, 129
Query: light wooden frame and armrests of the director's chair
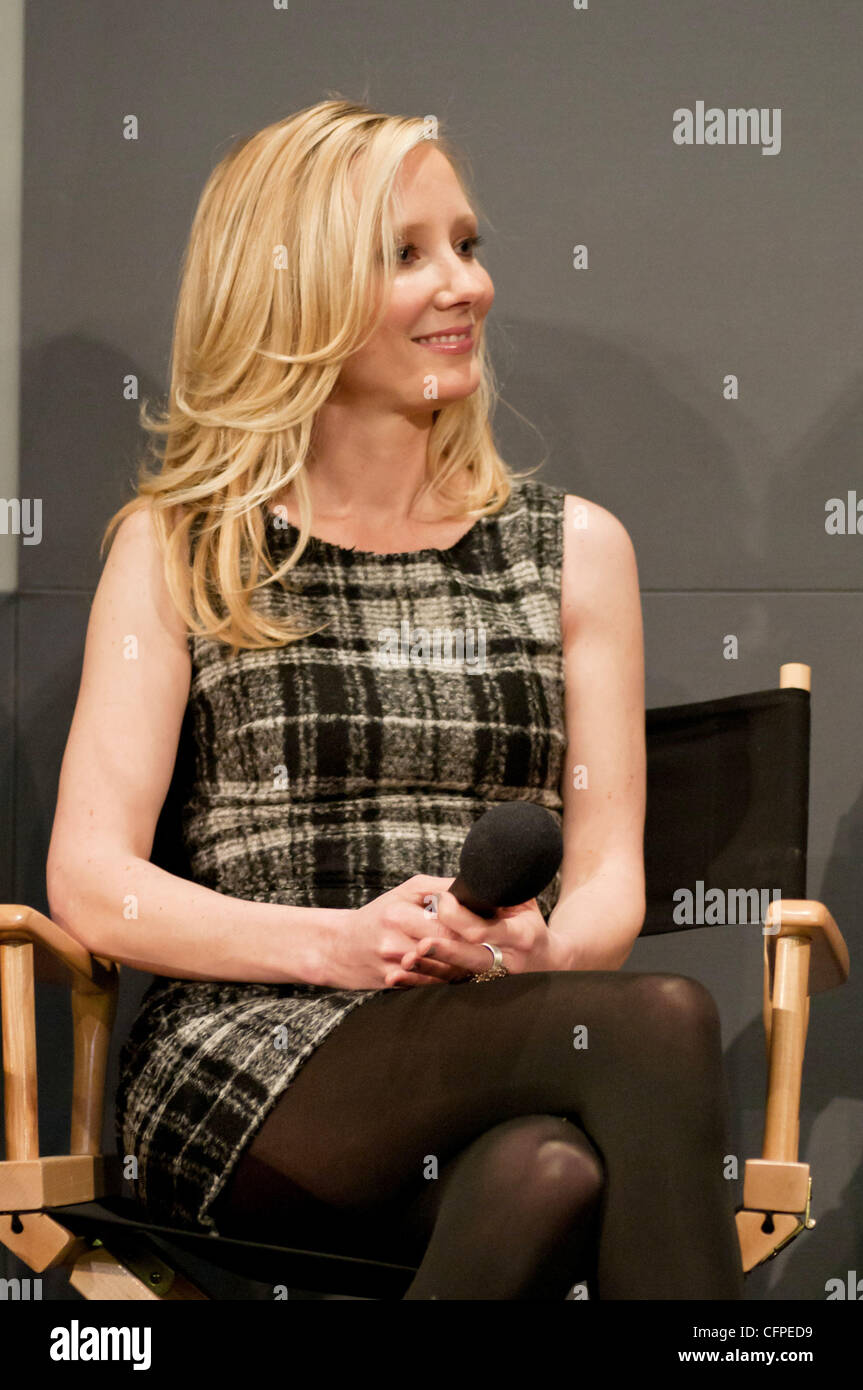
804, 954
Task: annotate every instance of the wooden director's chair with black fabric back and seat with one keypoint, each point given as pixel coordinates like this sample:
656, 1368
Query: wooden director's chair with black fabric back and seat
728, 810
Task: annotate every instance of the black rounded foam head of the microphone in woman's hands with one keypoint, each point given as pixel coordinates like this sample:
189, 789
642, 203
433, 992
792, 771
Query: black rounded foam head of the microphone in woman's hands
509, 857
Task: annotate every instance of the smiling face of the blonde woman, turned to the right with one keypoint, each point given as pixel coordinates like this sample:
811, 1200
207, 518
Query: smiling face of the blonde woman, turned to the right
440, 288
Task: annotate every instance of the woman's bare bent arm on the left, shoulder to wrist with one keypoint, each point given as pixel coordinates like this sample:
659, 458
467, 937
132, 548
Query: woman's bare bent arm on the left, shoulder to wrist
113, 782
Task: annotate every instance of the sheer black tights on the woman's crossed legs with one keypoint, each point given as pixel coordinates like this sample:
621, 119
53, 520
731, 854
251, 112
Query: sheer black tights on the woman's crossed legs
512, 1139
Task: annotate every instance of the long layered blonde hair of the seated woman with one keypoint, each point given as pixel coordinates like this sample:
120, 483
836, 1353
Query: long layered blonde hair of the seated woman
258, 350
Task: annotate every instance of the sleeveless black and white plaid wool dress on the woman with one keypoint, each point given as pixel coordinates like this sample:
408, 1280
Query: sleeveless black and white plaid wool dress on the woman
327, 772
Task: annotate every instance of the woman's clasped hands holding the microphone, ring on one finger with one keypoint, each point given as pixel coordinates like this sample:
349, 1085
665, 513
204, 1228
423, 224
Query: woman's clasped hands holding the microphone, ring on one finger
454, 950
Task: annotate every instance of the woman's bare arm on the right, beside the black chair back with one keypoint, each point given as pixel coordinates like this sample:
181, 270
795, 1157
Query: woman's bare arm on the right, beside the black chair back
601, 907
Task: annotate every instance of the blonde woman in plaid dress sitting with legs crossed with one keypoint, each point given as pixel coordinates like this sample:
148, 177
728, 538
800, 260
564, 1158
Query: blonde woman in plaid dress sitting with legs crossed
330, 500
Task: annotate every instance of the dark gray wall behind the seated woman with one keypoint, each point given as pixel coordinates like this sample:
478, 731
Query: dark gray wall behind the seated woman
704, 261
